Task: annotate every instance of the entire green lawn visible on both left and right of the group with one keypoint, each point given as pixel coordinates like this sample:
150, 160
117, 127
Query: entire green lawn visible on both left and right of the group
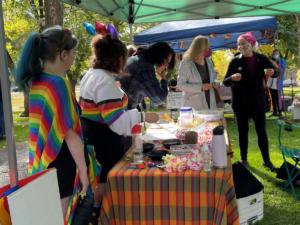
279, 206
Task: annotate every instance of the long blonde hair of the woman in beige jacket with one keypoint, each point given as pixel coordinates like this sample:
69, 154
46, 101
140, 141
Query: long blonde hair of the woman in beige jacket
198, 45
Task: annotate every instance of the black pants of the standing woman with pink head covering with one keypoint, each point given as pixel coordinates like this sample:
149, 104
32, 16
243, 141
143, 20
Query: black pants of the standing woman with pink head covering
259, 118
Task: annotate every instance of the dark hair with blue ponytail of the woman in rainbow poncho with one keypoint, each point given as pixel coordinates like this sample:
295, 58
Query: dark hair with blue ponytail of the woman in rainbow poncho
41, 47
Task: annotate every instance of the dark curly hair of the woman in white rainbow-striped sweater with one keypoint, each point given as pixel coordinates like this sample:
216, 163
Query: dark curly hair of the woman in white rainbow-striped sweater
108, 53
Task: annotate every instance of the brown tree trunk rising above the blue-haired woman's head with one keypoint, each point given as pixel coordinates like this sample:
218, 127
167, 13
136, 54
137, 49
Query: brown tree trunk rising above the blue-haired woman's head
54, 12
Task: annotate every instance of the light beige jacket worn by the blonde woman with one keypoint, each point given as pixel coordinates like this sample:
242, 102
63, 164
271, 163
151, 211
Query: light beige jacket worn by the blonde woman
189, 81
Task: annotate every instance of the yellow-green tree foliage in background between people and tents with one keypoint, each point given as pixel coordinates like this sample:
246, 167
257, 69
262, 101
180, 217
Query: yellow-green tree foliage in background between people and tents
20, 21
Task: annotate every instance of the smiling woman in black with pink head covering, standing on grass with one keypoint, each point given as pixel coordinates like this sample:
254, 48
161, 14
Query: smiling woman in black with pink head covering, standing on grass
245, 75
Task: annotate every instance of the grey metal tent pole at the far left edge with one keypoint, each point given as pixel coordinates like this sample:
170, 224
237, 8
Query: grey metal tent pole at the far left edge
6, 98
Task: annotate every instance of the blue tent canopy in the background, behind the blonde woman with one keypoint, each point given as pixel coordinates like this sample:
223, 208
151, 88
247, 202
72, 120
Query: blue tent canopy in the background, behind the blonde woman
222, 32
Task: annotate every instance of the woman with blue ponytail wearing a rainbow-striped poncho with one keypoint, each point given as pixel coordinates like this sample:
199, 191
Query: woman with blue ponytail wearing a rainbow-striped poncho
55, 138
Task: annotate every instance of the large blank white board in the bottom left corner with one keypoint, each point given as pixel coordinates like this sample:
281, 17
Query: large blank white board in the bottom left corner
37, 203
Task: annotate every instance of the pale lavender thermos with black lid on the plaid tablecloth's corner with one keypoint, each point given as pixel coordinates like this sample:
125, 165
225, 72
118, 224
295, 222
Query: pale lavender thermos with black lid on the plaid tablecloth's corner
219, 153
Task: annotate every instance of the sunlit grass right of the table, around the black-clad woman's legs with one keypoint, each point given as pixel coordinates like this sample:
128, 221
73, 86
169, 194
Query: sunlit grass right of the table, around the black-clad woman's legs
279, 205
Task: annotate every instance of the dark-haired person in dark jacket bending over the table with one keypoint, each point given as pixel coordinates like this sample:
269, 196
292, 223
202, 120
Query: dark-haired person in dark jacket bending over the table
142, 69
